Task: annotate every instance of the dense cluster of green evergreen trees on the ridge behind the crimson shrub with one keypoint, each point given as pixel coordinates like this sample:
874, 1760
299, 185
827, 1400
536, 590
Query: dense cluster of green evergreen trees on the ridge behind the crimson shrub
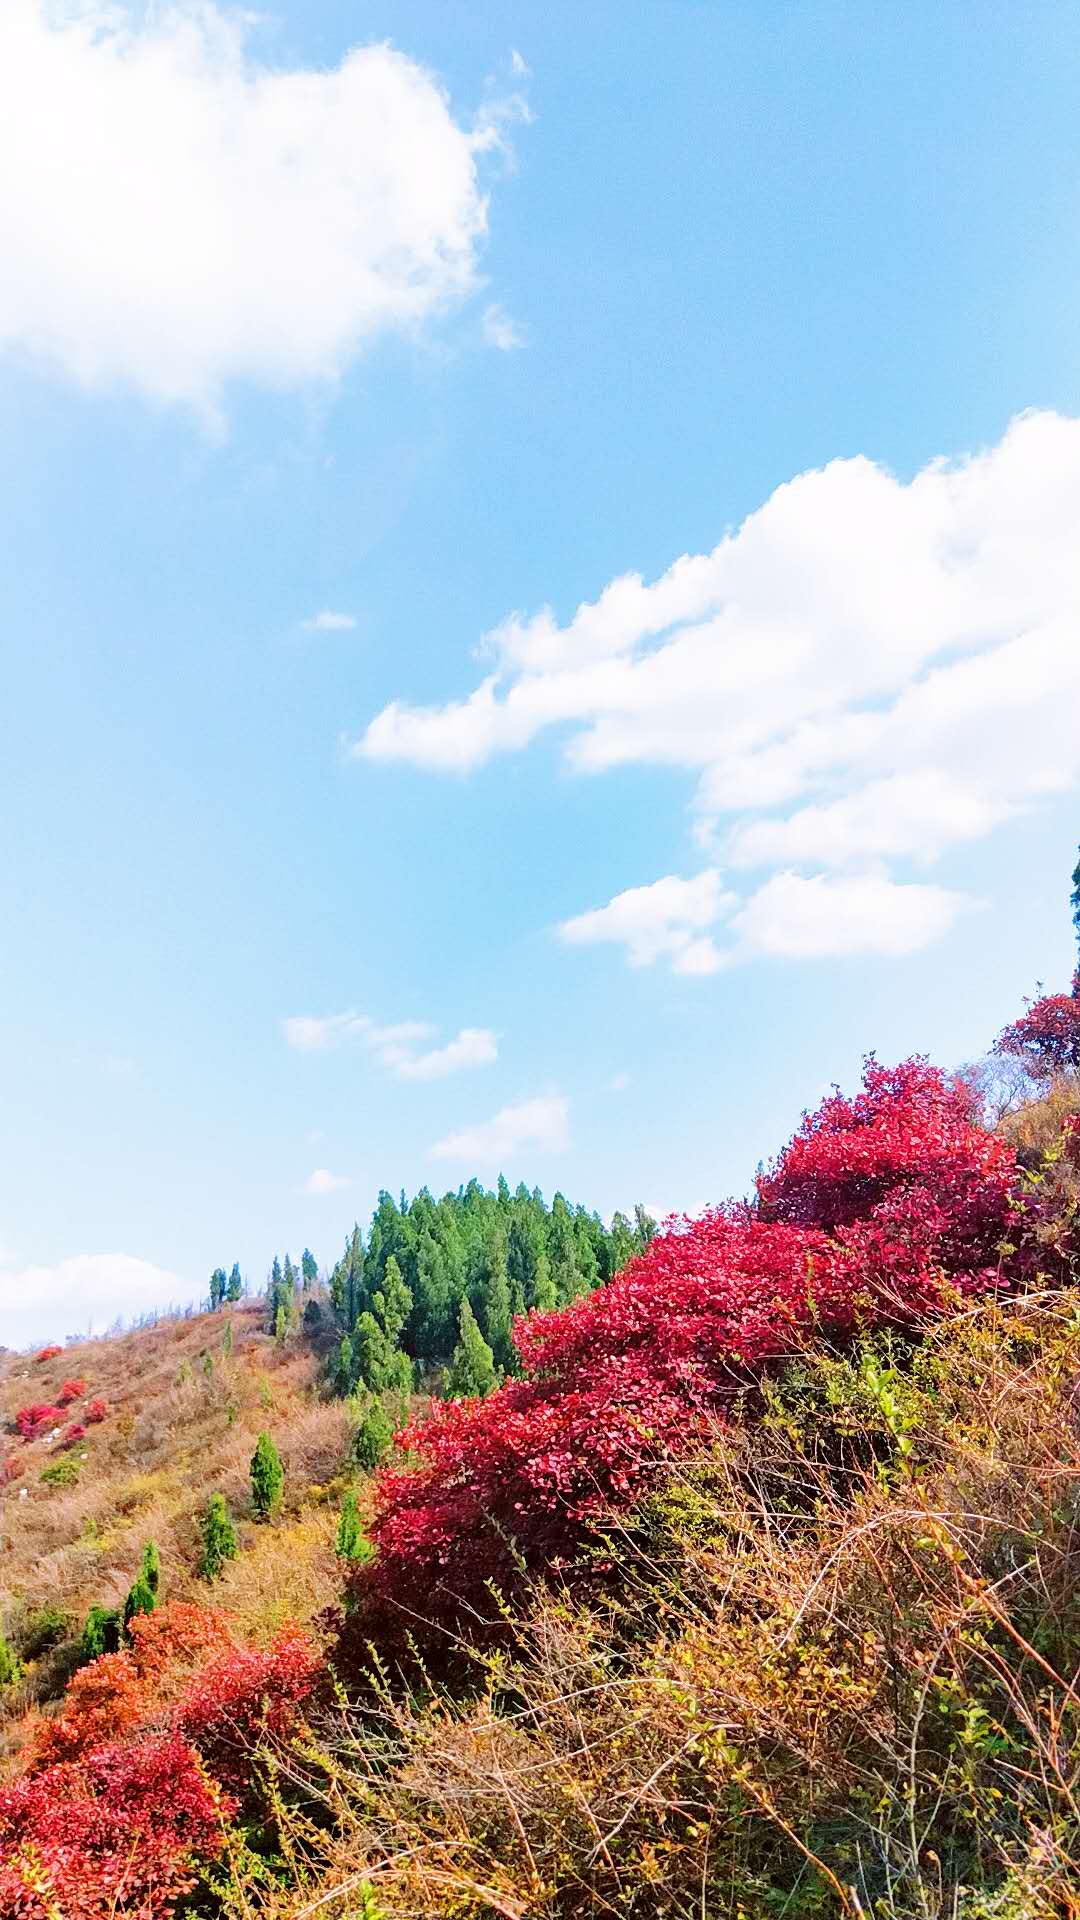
439, 1284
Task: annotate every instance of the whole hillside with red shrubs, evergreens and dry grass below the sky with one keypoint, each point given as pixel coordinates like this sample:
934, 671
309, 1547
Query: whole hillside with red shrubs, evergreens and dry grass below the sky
747, 1583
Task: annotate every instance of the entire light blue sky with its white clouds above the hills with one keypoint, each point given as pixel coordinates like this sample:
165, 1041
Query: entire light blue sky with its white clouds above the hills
464, 325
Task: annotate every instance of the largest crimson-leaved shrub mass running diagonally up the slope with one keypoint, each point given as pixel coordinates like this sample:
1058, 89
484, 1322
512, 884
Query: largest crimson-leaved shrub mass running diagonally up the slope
883, 1209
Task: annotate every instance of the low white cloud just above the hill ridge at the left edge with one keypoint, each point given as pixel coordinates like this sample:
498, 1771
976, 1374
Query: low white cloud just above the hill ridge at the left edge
84, 1295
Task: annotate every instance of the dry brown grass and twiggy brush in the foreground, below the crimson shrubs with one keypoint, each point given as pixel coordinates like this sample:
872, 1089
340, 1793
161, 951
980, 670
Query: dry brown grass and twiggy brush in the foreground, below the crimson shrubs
839, 1677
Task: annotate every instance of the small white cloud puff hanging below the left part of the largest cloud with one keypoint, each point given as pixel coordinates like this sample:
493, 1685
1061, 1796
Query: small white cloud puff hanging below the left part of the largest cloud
666, 921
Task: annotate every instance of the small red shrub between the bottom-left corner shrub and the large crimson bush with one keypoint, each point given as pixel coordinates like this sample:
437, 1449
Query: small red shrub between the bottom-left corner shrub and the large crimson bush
247, 1696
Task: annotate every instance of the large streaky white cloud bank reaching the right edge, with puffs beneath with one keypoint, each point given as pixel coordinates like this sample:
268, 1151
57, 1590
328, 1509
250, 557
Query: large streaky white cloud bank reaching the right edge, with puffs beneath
866, 673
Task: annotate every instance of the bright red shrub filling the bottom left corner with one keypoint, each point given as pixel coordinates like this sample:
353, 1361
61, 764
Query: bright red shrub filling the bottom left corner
118, 1835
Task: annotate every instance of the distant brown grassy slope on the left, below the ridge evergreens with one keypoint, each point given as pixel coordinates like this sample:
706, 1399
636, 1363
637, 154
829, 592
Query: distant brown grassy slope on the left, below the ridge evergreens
184, 1406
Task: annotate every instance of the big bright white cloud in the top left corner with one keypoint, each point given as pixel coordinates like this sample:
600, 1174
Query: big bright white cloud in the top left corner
176, 214
